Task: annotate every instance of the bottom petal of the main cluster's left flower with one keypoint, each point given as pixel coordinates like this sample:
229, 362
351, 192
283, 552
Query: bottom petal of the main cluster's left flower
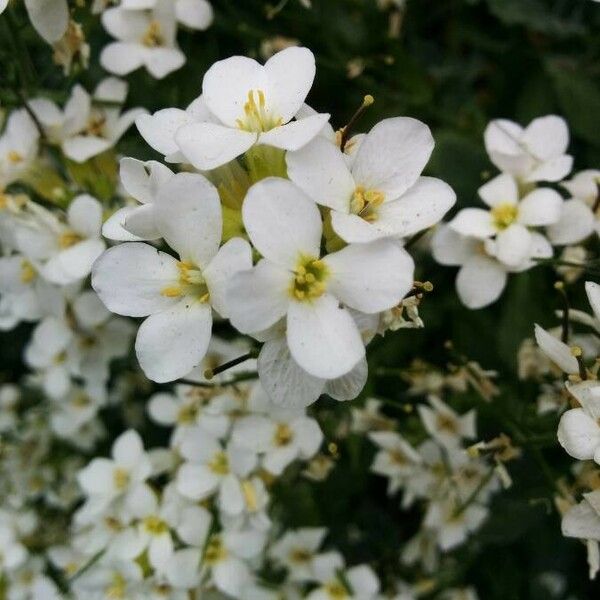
171, 343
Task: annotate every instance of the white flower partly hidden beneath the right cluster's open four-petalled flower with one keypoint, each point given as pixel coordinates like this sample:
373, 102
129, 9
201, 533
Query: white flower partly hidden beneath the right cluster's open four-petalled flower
482, 277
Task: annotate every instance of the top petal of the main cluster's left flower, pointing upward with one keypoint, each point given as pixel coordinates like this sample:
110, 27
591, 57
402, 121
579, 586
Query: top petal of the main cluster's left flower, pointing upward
188, 215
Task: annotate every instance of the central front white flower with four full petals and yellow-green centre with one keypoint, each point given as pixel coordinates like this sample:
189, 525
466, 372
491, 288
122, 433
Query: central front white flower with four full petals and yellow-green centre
292, 280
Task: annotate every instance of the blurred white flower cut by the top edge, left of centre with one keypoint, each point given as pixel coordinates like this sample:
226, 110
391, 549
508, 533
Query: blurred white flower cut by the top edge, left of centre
144, 38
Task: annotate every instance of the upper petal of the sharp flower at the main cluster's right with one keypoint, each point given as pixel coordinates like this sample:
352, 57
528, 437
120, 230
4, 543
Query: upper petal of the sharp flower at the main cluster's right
393, 155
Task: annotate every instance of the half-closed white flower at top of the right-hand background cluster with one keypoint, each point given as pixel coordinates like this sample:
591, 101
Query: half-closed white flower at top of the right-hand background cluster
536, 153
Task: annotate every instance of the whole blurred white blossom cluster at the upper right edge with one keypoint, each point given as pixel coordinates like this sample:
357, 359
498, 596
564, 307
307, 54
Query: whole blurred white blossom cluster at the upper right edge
525, 216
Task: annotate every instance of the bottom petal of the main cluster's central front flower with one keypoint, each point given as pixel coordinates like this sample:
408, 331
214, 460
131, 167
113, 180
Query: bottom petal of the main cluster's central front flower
323, 337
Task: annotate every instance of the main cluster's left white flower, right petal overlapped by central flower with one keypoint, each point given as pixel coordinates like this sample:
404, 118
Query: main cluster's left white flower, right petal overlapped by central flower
177, 296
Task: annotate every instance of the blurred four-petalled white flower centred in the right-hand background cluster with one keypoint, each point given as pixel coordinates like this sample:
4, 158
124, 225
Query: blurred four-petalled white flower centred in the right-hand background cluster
509, 218
